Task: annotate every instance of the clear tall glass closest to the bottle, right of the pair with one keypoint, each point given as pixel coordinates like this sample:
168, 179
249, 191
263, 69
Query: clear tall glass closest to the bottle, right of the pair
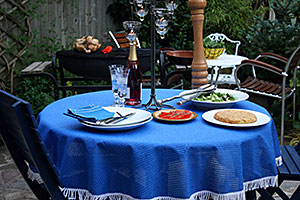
122, 85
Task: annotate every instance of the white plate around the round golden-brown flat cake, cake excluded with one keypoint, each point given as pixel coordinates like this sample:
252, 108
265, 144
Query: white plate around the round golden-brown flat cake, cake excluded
261, 118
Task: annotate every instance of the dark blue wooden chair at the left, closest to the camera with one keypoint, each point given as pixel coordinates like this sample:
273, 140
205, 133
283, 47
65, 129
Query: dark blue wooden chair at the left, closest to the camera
19, 132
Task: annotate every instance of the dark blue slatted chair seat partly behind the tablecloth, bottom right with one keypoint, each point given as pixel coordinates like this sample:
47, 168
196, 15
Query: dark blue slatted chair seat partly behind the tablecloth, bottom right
289, 170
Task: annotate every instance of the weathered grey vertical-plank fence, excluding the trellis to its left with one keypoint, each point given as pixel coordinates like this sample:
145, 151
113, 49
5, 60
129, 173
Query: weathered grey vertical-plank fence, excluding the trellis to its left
69, 19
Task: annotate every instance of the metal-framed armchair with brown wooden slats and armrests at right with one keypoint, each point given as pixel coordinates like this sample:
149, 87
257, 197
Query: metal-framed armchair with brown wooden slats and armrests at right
279, 71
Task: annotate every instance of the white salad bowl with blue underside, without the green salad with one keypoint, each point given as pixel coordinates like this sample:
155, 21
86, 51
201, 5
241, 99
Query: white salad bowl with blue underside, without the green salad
238, 95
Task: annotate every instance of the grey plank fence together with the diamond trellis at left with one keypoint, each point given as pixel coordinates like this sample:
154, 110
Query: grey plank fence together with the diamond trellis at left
59, 21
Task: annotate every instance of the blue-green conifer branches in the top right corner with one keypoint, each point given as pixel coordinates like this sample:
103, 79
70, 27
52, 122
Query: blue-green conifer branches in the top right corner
280, 36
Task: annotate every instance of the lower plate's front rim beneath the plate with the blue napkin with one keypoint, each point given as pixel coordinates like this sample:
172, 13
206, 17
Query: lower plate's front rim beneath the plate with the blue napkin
117, 127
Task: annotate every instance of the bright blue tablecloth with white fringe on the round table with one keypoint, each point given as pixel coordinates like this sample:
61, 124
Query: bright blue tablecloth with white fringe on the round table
159, 160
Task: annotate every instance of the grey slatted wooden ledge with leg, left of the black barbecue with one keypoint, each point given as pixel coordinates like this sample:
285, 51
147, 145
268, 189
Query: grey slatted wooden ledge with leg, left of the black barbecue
39, 69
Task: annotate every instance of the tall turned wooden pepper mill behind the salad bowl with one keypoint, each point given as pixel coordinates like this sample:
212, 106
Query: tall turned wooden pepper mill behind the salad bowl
199, 65
